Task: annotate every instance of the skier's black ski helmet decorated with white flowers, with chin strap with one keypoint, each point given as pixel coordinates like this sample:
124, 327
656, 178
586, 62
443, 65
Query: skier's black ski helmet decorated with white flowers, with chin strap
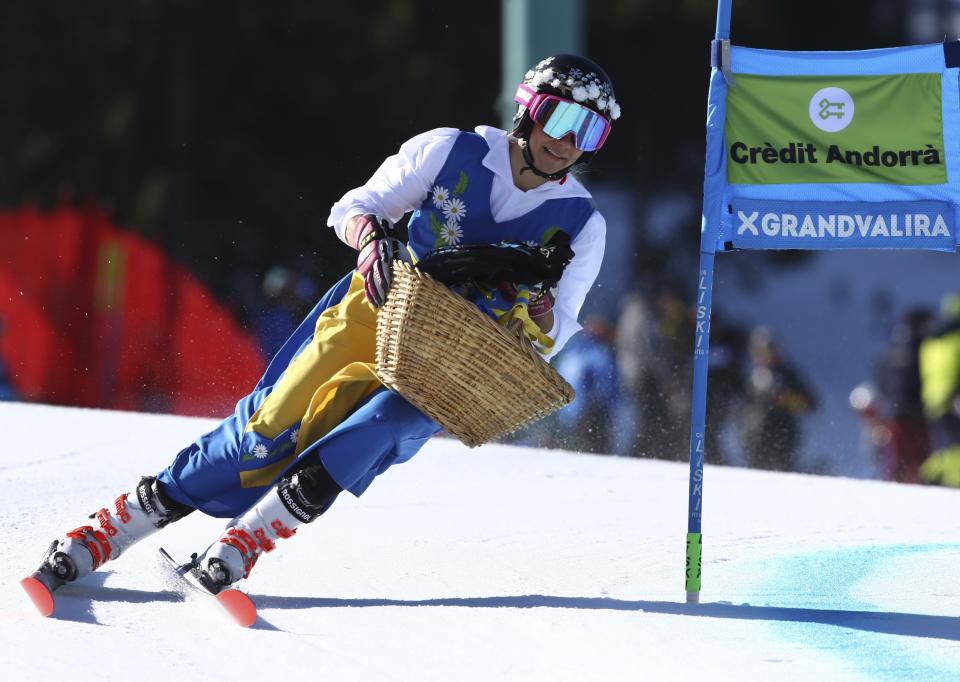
570, 77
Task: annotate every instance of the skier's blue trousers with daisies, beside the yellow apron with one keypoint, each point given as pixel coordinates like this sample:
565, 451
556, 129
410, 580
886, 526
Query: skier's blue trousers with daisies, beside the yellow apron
382, 430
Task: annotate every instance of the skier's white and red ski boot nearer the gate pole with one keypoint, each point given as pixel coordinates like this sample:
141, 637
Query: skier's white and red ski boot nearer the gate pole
294, 501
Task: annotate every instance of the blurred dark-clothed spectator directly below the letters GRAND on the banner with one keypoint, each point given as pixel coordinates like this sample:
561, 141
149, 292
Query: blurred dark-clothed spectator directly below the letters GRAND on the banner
776, 398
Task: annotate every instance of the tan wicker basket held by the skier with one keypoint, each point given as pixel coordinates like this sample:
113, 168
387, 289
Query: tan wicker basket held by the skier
476, 379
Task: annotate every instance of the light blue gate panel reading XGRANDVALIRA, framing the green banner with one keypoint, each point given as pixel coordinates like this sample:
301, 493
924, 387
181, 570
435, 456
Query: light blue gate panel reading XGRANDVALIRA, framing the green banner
898, 214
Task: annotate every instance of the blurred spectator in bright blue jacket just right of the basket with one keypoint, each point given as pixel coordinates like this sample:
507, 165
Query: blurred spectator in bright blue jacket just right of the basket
589, 364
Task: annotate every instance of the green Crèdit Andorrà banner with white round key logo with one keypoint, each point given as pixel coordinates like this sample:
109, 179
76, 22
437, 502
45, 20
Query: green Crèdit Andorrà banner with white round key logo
835, 129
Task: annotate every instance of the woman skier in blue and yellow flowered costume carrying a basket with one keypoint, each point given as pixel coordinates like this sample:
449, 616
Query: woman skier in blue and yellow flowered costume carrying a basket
319, 422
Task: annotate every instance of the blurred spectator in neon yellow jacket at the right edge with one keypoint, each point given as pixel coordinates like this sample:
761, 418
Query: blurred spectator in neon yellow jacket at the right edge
940, 389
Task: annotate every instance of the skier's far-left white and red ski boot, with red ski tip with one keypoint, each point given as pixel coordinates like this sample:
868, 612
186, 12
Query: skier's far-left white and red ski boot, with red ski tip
85, 548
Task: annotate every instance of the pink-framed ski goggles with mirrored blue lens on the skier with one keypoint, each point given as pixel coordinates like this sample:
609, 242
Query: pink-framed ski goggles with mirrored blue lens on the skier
560, 117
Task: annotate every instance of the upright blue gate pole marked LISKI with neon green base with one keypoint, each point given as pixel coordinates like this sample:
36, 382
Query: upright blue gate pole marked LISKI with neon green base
712, 199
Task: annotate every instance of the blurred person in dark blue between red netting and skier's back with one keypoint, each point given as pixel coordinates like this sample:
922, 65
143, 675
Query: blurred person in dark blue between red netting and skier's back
287, 298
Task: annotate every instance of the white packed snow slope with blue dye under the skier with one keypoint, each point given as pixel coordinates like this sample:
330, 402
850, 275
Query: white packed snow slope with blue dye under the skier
498, 563
